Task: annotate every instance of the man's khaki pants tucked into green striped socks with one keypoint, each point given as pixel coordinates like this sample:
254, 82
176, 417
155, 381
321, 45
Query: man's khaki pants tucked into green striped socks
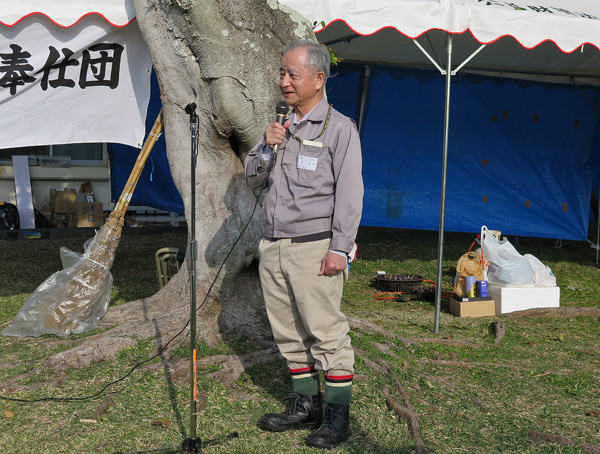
304, 308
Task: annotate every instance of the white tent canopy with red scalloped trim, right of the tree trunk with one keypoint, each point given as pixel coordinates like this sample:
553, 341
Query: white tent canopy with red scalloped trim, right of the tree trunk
549, 39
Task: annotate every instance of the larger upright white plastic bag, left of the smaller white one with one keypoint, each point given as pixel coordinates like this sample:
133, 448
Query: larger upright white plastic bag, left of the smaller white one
507, 266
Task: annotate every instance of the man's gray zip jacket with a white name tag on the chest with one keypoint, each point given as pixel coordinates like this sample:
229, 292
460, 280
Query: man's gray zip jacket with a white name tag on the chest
315, 185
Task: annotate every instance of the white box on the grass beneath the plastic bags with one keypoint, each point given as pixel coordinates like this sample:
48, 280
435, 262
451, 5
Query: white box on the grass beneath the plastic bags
511, 298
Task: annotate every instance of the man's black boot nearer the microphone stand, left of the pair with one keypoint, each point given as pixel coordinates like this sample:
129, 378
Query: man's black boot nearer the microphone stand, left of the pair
304, 411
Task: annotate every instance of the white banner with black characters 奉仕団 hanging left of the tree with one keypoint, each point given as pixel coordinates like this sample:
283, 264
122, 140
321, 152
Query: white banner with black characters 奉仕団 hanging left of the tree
86, 83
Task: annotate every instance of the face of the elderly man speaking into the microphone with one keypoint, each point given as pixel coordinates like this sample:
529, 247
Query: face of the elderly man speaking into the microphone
300, 85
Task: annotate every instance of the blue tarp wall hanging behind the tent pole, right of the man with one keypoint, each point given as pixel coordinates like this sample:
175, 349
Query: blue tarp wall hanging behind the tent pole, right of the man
520, 158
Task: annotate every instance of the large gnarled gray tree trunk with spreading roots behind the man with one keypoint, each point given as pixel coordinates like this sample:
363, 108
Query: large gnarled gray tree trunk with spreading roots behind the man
223, 56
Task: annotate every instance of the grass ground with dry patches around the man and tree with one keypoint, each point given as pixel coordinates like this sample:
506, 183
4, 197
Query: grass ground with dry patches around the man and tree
472, 394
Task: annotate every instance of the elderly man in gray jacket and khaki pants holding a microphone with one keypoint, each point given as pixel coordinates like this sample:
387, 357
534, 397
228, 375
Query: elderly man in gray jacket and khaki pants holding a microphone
312, 213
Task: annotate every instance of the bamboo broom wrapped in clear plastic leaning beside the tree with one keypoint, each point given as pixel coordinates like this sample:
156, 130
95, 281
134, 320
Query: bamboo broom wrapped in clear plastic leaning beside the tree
74, 299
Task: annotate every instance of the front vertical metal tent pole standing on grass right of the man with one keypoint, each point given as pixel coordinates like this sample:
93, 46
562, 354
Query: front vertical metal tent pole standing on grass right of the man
438, 289
